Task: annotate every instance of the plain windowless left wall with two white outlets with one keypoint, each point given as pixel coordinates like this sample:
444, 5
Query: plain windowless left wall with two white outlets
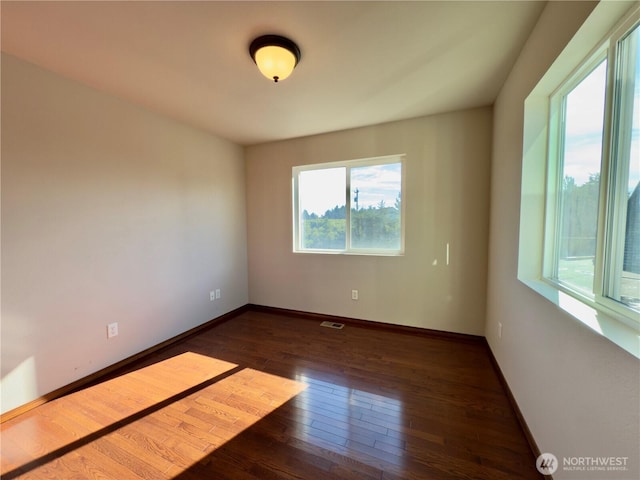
109, 214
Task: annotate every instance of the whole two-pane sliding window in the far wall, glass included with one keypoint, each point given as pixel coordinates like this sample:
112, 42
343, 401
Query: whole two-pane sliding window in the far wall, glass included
349, 207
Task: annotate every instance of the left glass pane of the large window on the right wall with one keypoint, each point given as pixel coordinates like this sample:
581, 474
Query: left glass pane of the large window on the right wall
574, 176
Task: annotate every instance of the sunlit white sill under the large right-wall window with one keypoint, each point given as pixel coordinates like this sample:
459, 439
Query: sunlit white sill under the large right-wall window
599, 319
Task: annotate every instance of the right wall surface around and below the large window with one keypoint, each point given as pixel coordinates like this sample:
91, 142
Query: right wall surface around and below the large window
578, 391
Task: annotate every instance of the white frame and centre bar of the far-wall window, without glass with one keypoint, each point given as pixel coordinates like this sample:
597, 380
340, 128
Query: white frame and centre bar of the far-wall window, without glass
348, 165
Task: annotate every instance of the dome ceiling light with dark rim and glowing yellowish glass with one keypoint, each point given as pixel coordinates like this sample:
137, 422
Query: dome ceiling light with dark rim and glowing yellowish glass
275, 56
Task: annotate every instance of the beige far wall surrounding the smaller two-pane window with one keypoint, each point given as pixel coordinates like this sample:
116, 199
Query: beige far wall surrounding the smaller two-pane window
446, 195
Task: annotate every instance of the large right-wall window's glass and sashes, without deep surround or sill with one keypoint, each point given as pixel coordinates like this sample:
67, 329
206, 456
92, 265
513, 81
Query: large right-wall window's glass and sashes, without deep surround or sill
593, 219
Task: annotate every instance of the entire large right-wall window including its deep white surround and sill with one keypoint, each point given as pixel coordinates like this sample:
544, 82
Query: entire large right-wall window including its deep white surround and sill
589, 211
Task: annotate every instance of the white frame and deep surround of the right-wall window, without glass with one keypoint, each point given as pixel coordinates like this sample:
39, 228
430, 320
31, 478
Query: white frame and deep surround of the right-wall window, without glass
620, 324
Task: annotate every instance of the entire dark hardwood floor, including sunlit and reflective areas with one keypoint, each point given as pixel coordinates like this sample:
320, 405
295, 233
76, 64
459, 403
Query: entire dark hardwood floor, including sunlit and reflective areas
267, 396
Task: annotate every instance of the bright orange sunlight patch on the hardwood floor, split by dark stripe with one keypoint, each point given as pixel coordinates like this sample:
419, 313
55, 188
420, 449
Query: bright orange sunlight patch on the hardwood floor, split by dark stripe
143, 422
